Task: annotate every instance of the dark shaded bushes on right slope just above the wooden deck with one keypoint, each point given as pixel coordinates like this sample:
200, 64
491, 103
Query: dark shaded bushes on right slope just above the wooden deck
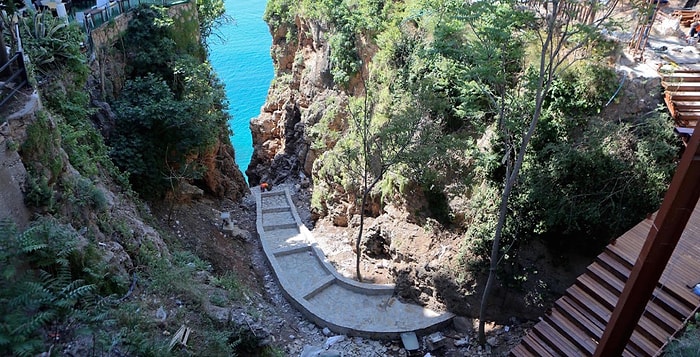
582, 190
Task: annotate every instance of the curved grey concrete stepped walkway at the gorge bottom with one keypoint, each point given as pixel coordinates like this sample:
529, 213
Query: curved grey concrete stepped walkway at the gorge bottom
324, 296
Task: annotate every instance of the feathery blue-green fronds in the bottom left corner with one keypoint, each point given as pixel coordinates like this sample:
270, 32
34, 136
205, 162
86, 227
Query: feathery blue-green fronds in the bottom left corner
39, 287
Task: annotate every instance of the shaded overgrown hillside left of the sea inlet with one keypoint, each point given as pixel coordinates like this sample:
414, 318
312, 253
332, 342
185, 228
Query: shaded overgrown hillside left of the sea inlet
103, 148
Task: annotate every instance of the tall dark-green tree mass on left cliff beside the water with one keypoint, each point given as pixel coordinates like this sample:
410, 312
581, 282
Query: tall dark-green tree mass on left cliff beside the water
172, 110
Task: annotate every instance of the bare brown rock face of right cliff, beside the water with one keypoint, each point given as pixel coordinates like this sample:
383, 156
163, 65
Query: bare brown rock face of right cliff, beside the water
296, 101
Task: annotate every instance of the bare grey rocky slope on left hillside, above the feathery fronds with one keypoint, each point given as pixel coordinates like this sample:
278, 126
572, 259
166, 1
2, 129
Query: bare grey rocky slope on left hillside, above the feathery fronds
69, 192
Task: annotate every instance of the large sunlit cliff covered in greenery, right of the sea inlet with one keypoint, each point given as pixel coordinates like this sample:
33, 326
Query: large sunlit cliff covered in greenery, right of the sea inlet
427, 101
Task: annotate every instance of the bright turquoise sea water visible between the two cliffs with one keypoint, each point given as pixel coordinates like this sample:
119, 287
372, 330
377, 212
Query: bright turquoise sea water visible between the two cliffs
243, 63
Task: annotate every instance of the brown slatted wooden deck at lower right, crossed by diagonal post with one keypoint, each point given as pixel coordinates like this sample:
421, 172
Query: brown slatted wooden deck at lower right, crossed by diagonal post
576, 322
